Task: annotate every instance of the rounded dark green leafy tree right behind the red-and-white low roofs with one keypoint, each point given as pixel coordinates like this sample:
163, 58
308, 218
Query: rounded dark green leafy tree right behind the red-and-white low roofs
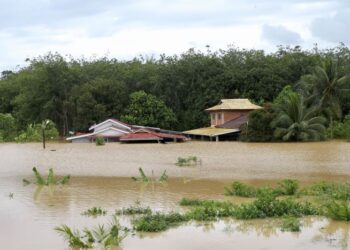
146, 109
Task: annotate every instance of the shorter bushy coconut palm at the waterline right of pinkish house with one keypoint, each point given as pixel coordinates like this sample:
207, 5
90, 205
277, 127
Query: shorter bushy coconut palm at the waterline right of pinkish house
296, 122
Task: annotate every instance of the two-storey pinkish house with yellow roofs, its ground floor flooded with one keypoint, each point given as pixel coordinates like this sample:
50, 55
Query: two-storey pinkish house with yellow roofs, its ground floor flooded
226, 118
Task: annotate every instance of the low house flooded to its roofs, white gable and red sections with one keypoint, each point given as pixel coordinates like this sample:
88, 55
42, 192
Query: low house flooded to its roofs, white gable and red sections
113, 130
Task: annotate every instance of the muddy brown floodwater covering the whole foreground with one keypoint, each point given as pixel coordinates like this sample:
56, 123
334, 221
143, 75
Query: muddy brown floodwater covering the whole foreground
101, 177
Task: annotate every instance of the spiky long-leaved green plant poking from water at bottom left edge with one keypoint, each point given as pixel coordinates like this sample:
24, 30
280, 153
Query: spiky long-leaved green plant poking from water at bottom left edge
105, 235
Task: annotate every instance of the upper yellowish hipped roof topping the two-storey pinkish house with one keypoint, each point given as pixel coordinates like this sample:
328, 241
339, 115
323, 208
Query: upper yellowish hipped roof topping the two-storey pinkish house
234, 104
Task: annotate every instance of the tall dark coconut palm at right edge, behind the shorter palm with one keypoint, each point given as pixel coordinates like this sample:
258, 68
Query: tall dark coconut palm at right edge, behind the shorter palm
325, 87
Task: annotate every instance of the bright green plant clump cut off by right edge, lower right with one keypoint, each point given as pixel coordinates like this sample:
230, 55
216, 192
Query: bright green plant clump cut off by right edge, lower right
338, 210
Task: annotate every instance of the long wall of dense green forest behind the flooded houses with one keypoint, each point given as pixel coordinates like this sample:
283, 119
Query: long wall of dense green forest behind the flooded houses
75, 93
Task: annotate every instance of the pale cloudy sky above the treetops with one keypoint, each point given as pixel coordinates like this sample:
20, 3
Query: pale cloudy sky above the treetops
125, 29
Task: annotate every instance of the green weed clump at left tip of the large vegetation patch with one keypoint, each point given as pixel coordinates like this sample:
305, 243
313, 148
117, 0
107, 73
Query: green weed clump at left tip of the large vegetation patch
158, 222
